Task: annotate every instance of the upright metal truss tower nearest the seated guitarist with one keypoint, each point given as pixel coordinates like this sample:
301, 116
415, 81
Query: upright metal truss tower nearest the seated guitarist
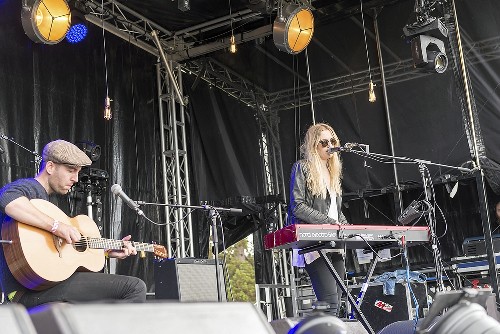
179, 228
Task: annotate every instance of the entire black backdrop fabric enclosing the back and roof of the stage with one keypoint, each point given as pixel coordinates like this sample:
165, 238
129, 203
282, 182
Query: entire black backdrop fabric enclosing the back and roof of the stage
49, 92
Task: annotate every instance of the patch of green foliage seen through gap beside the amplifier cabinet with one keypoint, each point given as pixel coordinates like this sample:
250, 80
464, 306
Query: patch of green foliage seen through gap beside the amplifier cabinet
241, 271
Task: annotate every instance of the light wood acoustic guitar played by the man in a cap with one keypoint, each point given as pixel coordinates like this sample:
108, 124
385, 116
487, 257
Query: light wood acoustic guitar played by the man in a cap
39, 260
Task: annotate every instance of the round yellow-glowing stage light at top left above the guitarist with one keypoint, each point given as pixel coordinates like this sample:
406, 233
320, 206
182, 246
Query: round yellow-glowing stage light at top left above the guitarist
45, 21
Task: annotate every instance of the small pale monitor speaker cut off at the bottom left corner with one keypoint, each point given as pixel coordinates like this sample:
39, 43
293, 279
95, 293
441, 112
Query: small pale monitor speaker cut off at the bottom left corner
14, 319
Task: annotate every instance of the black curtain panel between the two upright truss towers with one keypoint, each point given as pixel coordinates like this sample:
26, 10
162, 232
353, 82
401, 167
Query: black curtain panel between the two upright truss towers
226, 163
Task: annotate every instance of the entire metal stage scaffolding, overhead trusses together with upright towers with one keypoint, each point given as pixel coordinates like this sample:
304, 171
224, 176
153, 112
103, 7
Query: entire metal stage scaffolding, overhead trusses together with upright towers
136, 29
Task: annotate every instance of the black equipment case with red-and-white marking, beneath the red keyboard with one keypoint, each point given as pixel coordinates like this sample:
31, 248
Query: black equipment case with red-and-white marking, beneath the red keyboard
381, 310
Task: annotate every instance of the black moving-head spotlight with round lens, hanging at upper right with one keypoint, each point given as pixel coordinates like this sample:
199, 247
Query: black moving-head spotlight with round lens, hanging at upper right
427, 47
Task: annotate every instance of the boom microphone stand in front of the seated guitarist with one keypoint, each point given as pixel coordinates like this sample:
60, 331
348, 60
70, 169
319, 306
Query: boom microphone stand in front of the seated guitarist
213, 214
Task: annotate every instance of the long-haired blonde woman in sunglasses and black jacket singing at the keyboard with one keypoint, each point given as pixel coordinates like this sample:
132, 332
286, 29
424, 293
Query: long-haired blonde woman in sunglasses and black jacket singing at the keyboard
315, 198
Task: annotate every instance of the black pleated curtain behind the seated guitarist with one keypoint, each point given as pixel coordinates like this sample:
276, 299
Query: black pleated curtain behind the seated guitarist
57, 91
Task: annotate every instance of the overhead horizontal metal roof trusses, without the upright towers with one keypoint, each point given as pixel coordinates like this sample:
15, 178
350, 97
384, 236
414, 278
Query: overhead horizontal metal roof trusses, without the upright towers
136, 29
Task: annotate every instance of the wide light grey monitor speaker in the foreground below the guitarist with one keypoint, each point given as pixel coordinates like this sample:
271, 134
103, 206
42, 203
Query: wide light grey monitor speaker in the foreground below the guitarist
156, 317
